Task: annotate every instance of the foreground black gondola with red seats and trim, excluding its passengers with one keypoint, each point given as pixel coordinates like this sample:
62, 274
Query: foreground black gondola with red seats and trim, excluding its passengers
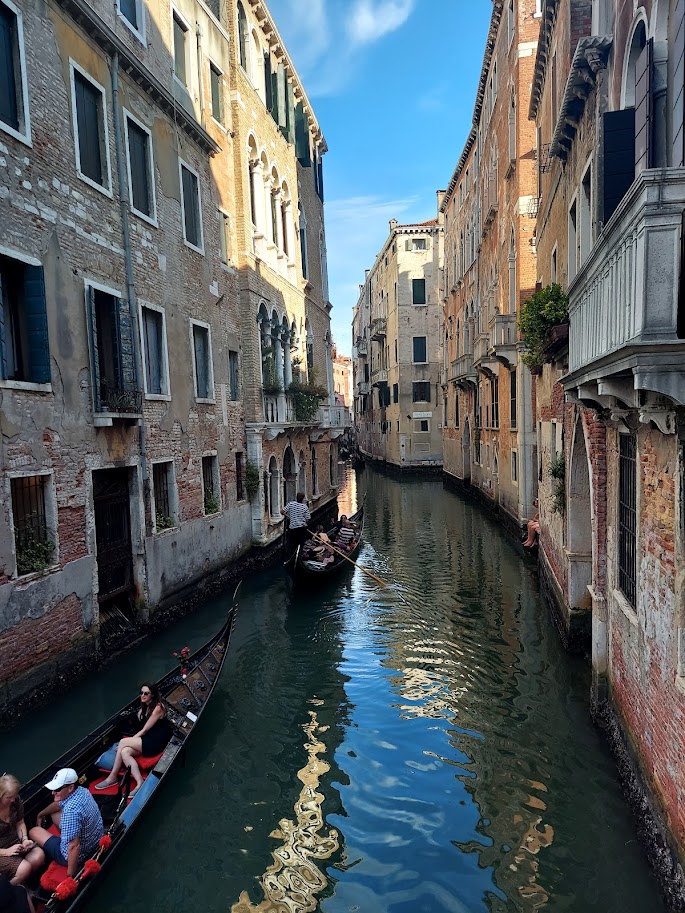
186, 692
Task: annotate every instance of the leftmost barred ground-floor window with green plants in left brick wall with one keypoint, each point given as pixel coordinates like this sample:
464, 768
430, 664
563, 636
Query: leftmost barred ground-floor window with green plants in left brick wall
33, 538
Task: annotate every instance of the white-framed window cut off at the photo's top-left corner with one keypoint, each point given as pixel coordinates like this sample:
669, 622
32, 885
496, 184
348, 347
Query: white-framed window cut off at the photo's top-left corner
14, 97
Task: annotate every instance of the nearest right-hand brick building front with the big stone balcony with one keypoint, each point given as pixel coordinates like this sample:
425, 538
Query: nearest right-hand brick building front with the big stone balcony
607, 101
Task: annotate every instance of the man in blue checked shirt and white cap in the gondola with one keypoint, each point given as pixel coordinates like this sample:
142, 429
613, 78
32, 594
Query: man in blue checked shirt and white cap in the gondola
76, 814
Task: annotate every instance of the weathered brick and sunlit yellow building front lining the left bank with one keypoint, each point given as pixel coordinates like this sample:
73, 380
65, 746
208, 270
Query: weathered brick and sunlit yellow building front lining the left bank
138, 275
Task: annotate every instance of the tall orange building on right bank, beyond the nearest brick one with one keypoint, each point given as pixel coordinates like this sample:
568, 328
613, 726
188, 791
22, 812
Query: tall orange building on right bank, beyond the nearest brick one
489, 220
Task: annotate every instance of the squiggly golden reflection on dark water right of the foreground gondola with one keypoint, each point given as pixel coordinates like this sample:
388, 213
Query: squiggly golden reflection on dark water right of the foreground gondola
293, 882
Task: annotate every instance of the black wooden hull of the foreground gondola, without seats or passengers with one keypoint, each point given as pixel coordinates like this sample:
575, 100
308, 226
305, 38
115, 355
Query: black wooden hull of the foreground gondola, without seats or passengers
185, 699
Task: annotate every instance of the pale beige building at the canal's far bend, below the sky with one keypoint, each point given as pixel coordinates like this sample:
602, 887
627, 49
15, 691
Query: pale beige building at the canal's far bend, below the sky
396, 333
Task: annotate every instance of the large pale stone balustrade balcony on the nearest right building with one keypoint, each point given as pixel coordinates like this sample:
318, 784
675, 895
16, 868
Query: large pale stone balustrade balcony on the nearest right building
623, 303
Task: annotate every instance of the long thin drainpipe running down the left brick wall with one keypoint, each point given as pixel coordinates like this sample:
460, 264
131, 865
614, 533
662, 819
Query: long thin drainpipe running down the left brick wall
130, 288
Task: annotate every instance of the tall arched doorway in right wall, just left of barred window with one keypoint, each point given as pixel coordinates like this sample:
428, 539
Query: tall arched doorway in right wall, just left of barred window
579, 514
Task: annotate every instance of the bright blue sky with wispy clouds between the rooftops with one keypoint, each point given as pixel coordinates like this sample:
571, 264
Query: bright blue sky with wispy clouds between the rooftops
393, 84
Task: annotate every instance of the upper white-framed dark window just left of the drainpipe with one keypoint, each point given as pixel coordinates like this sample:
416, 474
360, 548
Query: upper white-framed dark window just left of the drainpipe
90, 130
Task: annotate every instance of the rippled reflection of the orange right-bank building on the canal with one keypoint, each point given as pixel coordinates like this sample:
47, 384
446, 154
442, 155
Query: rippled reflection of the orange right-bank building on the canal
459, 663
